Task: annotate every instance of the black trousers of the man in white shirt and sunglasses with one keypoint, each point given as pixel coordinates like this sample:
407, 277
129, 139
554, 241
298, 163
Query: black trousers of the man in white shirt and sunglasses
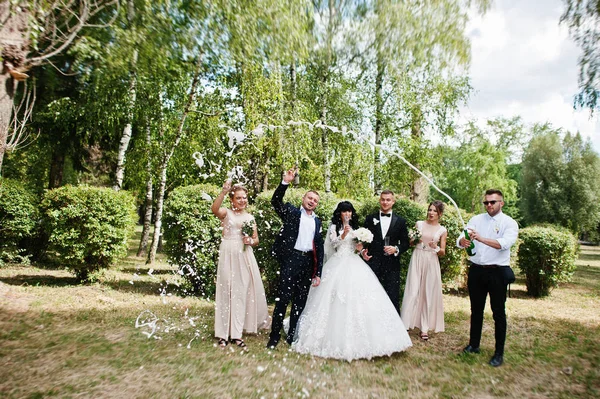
481, 282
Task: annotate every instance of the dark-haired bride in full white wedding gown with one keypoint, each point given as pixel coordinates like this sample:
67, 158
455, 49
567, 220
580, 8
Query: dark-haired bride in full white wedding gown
348, 316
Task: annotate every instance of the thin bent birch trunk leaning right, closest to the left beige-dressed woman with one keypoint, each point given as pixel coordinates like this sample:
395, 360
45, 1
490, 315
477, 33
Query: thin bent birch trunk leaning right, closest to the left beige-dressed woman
165, 163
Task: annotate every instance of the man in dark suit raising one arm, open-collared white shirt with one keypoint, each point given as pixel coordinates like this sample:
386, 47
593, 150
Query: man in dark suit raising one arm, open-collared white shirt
299, 250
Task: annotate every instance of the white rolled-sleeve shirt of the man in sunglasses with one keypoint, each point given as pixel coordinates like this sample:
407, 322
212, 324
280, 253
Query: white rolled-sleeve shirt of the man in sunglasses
502, 228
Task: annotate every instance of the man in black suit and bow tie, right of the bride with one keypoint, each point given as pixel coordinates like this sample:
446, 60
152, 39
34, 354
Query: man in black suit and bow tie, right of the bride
390, 240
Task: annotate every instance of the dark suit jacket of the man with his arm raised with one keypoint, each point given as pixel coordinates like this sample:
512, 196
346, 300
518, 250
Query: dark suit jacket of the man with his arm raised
286, 239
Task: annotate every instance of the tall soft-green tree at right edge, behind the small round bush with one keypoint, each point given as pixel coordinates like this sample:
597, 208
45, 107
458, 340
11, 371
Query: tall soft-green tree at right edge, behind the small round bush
560, 181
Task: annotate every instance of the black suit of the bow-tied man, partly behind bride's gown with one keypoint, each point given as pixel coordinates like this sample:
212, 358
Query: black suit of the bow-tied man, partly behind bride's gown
387, 268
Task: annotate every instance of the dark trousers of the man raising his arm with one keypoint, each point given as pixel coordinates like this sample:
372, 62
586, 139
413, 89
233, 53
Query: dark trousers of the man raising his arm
293, 287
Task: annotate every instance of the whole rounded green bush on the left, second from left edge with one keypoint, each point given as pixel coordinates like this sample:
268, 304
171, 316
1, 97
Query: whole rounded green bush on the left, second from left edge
88, 227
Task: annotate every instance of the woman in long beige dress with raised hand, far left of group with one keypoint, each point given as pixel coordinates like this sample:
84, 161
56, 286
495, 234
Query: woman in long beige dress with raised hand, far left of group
240, 303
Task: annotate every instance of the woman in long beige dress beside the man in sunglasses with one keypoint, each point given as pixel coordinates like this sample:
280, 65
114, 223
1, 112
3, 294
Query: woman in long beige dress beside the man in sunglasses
422, 306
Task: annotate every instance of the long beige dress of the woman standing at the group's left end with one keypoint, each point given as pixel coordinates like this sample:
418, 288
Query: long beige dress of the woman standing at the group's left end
240, 303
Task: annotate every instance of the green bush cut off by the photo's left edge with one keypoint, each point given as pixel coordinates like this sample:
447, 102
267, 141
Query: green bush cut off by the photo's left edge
19, 221
